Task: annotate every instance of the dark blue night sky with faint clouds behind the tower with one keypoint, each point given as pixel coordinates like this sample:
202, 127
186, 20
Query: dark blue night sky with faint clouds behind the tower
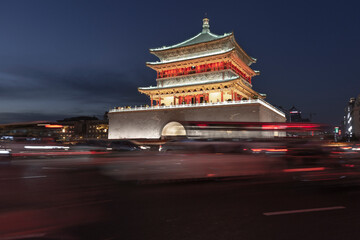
73, 58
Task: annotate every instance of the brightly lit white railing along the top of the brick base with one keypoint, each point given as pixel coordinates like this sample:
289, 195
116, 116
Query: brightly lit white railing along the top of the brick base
225, 103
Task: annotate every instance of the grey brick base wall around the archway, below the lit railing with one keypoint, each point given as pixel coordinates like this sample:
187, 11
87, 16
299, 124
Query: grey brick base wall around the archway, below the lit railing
150, 123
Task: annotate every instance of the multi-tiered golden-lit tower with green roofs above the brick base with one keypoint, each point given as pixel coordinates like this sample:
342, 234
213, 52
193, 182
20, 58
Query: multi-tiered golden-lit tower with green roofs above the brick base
207, 68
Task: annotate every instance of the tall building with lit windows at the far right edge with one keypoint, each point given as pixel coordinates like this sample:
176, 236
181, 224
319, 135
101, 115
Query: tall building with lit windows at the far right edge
351, 122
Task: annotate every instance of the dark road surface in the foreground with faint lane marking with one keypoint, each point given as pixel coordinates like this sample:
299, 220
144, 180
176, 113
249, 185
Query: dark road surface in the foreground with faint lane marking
53, 199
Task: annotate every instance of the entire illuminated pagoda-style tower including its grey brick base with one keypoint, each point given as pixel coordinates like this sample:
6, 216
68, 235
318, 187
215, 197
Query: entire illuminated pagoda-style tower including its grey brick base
205, 78
